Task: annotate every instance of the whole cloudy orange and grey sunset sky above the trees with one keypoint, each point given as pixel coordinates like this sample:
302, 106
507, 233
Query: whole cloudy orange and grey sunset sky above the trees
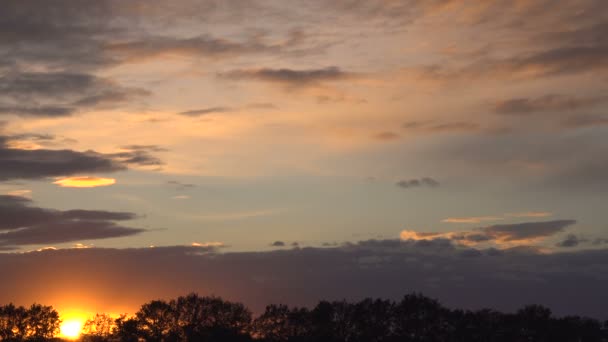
291, 151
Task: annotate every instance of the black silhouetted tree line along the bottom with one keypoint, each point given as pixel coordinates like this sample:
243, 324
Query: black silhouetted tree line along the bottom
415, 318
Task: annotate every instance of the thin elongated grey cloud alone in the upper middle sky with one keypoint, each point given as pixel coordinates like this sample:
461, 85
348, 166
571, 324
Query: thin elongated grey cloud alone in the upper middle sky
289, 76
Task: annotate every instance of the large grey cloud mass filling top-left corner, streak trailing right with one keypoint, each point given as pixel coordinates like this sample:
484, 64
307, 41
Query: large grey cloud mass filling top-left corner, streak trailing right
69, 44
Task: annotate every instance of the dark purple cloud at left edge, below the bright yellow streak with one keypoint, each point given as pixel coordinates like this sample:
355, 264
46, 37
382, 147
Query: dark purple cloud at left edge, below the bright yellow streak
23, 224
